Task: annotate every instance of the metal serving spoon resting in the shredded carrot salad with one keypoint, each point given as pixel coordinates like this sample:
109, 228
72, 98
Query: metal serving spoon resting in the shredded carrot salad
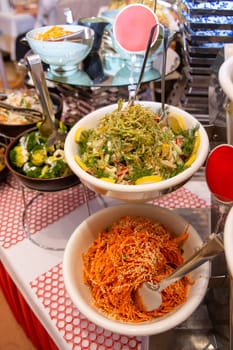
150, 293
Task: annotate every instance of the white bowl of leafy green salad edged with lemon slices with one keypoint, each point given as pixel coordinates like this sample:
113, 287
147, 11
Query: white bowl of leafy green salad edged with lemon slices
129, 154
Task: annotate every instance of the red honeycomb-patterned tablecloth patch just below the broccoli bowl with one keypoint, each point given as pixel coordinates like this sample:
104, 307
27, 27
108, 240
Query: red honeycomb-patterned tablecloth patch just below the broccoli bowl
46, 209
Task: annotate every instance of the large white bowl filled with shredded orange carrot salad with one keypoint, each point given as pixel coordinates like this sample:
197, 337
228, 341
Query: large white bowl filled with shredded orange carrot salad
113, 251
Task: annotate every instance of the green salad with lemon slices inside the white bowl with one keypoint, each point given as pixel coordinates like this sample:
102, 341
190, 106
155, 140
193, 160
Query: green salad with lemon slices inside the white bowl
131, 146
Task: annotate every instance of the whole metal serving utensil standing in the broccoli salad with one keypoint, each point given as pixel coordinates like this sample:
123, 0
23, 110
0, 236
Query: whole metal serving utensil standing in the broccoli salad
48, 127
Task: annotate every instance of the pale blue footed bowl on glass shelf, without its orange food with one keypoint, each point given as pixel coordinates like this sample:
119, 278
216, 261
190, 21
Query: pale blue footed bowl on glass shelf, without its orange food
63, 56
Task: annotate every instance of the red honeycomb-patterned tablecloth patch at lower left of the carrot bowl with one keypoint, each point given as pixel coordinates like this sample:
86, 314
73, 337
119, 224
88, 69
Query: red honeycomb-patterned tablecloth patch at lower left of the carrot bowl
78, 331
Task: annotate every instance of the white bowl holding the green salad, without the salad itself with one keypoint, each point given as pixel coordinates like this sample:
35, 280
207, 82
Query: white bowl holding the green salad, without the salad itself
134, 193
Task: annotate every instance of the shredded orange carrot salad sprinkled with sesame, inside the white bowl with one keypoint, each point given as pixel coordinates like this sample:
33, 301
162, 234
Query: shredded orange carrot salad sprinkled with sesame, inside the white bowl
131, 251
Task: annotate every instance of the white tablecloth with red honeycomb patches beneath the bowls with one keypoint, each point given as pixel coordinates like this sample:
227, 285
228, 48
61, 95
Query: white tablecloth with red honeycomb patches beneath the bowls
38, 272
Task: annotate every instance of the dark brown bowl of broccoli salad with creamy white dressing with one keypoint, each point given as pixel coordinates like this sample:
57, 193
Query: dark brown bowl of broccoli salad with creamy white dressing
38, 166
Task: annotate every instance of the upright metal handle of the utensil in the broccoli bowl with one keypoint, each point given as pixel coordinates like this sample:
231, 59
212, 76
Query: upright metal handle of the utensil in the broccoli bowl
38, 76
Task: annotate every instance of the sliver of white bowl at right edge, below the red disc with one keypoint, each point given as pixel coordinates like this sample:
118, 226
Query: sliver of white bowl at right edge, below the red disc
228, 240
